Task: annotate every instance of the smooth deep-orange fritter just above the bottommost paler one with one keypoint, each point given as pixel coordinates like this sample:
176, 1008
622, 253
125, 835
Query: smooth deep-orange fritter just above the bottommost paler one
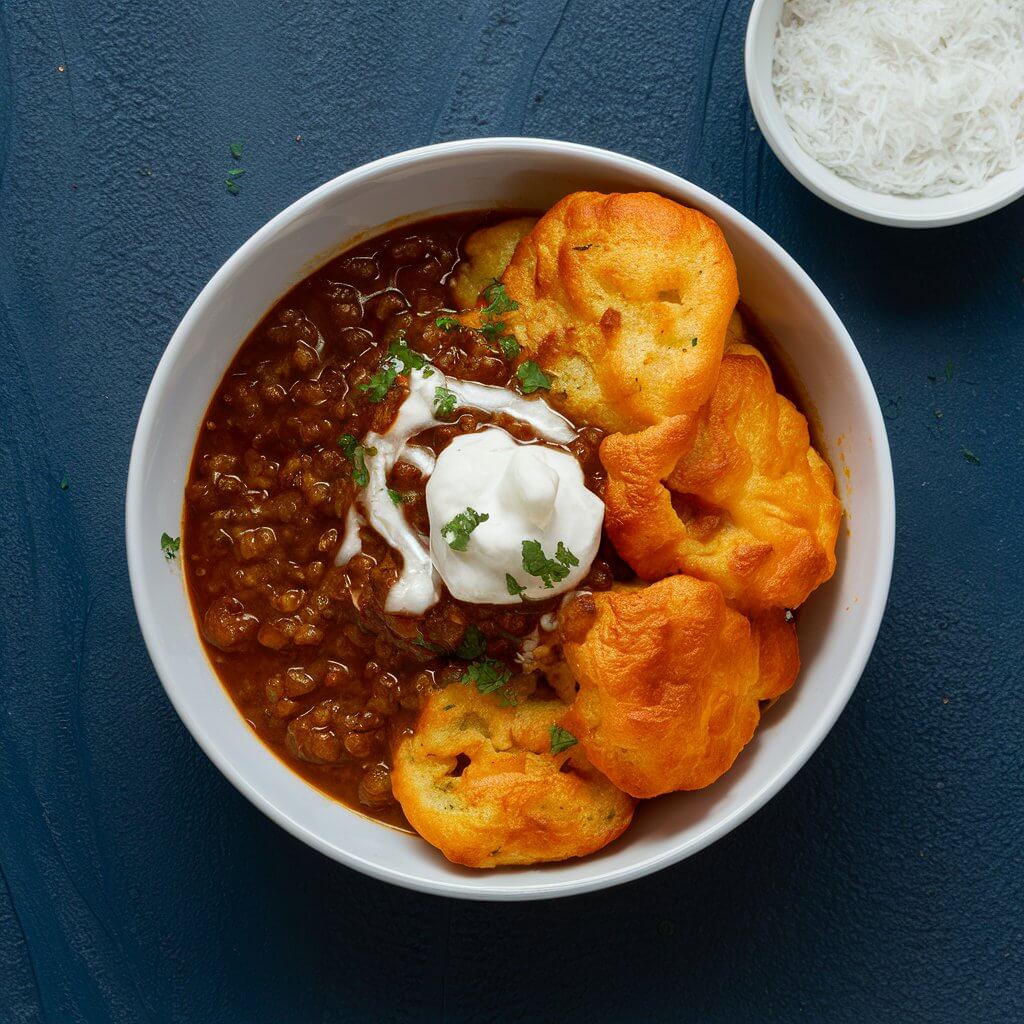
670, 681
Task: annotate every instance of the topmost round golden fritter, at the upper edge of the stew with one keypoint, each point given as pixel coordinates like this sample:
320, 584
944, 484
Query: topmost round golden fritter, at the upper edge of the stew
613, 291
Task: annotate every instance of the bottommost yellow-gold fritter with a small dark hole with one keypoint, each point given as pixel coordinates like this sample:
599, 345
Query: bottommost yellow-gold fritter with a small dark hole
515, 802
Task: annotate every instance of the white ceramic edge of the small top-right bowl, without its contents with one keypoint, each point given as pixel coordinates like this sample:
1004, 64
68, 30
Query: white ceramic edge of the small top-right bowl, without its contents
898, 211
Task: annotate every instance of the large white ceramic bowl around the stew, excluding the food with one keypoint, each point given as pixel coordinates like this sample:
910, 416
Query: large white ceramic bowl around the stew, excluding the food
838, 626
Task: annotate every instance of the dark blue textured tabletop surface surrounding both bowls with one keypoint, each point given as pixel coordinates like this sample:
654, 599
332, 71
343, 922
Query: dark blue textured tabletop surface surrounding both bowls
885, 883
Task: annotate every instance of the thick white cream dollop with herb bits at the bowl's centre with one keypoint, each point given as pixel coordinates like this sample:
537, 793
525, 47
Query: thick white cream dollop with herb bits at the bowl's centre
528, 493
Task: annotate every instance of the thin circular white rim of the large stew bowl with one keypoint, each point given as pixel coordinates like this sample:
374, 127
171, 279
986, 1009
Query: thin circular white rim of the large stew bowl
874, 603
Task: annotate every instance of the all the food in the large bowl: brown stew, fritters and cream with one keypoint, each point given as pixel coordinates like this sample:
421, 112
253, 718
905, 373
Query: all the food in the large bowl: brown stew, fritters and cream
497, 525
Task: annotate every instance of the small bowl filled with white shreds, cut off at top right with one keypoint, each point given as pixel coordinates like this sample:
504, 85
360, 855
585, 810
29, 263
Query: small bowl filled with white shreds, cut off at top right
909, 113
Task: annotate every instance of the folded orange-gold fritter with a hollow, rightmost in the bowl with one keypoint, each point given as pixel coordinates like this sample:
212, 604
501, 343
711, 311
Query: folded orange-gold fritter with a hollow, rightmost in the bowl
737, 495
